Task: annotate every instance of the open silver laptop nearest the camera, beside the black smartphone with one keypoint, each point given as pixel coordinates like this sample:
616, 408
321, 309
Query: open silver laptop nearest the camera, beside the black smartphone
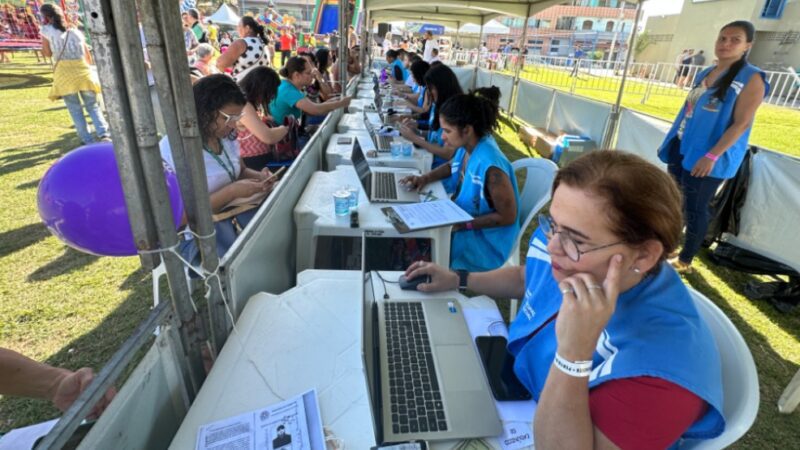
425, 377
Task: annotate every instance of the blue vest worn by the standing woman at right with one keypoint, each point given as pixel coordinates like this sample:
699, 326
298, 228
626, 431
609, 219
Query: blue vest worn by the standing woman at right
710, 118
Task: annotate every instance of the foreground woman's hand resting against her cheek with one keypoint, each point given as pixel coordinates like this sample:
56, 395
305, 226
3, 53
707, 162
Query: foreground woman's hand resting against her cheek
585, 310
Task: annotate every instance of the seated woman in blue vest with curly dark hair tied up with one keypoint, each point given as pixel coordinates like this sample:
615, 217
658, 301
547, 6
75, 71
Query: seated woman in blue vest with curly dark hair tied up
487, 188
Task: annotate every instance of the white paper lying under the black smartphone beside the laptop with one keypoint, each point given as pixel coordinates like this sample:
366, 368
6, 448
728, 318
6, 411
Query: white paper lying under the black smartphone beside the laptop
517, 417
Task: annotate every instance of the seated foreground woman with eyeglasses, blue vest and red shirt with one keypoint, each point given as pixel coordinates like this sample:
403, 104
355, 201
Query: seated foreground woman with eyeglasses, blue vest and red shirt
607, 340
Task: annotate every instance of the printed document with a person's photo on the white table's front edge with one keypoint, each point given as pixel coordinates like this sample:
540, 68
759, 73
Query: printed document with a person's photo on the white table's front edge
294, 424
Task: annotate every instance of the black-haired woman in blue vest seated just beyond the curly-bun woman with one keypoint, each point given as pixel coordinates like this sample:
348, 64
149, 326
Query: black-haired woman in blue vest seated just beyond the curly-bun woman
441, 84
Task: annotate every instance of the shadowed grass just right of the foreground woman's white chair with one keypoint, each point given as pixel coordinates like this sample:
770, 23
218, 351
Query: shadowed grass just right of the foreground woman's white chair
770, 429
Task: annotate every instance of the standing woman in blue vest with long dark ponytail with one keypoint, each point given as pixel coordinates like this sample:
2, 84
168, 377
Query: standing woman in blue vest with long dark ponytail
708, 139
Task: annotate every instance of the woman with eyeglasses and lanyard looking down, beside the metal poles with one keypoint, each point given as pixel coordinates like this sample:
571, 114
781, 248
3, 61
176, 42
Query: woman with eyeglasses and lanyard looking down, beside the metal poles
220, 105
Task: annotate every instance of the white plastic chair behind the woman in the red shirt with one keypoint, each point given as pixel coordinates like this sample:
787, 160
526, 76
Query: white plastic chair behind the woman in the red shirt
739, 377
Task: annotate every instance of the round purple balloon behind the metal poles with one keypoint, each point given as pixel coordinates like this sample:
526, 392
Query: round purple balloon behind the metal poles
81, 201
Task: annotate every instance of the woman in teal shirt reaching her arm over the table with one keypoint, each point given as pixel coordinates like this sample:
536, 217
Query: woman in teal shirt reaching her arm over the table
291, 100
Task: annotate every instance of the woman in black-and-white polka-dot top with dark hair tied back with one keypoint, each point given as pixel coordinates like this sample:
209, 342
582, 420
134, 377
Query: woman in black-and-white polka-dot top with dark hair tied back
248, 52
